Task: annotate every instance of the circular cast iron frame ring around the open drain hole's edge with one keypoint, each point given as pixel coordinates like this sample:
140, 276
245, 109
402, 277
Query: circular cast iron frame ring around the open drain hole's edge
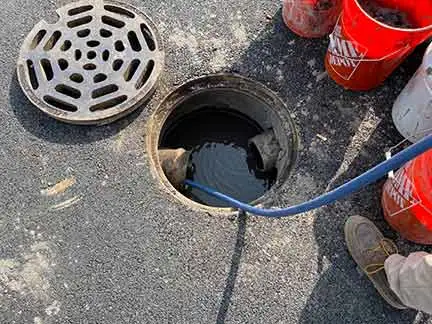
287, 135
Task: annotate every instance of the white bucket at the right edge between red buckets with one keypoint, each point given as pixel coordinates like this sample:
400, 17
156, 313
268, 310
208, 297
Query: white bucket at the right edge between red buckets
412, 111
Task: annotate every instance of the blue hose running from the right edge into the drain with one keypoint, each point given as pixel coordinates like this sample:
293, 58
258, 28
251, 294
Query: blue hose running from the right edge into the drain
346, 189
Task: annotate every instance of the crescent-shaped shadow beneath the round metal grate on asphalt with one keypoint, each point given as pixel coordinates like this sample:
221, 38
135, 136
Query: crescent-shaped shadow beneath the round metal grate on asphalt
41, 125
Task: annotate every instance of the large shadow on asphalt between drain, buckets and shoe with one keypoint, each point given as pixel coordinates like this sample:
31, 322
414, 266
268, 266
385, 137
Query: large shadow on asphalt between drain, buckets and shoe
294, 68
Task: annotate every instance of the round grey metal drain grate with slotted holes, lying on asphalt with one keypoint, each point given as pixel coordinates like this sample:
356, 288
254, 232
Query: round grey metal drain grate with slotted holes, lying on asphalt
97, 63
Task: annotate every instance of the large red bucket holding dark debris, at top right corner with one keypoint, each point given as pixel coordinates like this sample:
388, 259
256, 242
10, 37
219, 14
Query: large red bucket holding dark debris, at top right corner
364, 50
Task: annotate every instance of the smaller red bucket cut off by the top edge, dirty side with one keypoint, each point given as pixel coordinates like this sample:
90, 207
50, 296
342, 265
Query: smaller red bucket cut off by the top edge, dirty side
311, 18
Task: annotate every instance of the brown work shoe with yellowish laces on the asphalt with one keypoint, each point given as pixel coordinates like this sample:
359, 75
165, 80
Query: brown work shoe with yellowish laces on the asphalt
370, 249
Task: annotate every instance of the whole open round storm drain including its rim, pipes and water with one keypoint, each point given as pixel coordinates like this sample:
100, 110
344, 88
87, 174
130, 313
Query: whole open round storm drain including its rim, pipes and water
226, 132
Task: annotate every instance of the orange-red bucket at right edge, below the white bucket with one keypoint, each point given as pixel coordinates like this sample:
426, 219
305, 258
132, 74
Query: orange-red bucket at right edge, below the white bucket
407, 200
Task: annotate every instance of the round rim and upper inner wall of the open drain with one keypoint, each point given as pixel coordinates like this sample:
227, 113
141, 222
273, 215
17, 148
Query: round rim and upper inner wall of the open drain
272, 113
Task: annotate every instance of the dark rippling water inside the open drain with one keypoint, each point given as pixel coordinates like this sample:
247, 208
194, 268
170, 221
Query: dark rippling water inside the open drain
218, 140
